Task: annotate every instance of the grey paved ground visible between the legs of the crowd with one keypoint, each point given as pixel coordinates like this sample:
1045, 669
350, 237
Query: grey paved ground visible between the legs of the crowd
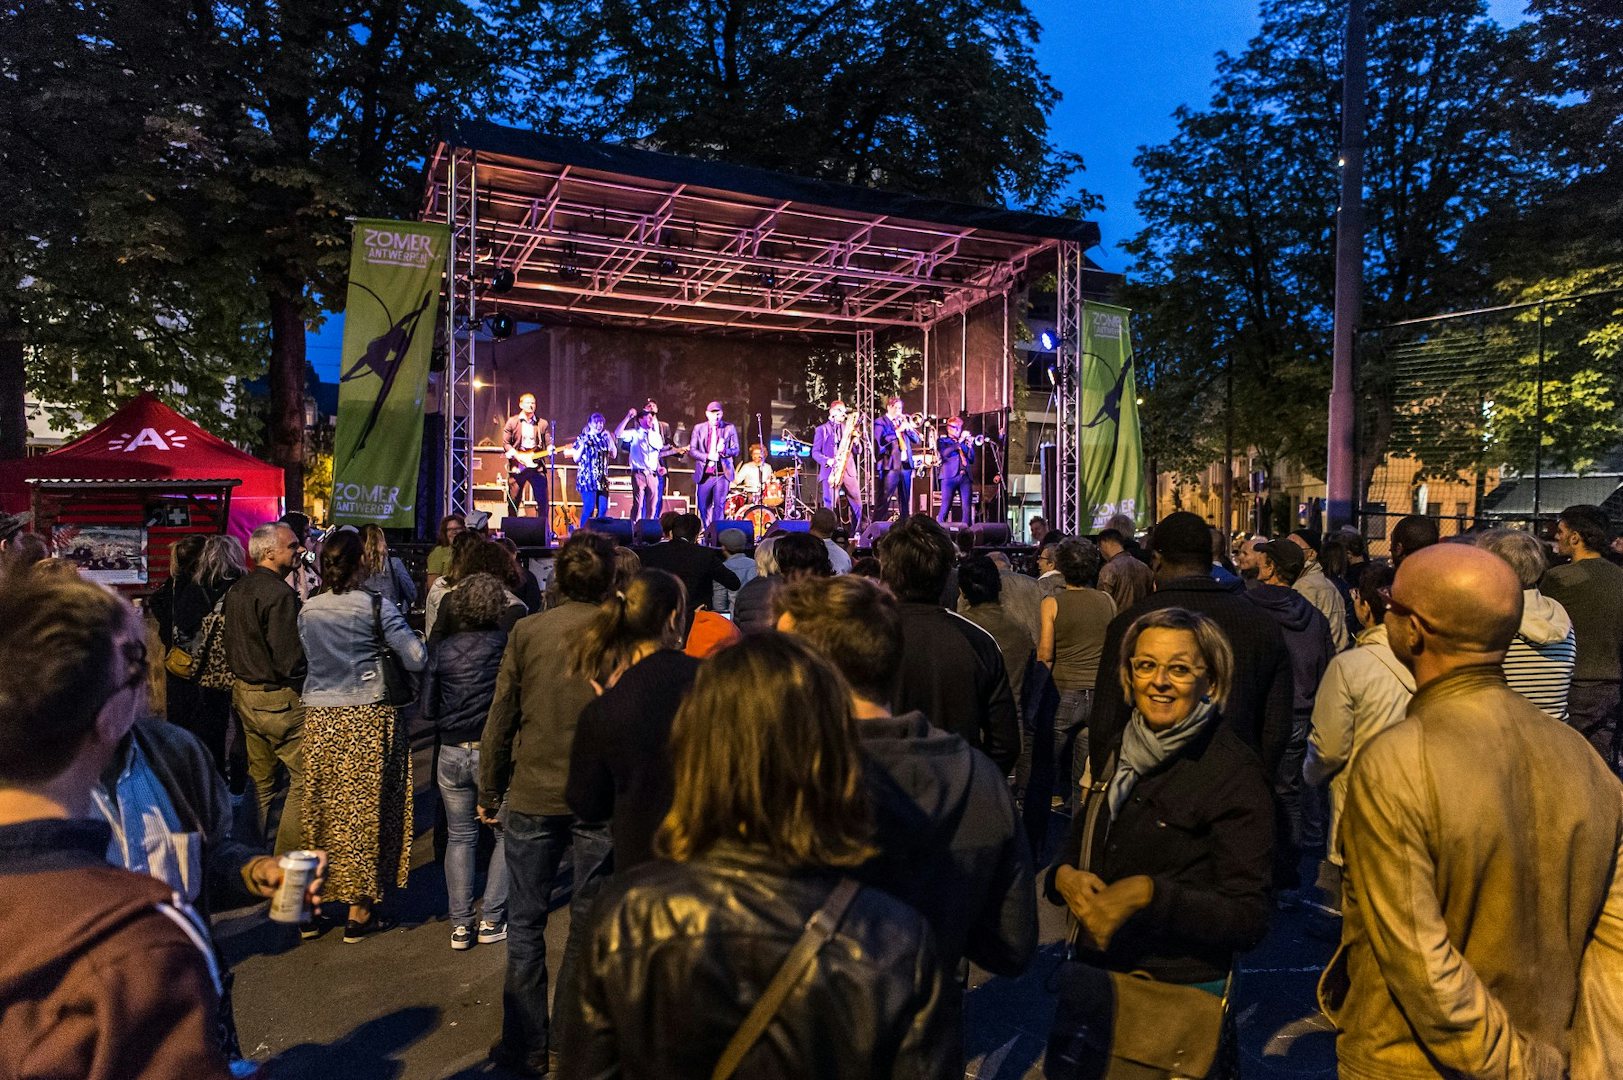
403, 1006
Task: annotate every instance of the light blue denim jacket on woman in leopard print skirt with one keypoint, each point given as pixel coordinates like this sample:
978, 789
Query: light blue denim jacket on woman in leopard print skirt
343, 652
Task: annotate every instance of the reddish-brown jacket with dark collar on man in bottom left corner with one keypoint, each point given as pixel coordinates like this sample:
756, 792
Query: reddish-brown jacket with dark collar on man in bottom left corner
106, 974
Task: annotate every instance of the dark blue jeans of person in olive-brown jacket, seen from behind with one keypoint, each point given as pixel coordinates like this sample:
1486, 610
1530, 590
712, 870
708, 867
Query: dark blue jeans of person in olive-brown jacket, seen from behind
535, 850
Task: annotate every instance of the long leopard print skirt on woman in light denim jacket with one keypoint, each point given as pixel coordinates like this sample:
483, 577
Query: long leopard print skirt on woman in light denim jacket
358, 798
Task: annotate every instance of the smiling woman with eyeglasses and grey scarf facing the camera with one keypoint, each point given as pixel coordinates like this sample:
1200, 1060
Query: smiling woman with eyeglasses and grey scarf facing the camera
1166, 870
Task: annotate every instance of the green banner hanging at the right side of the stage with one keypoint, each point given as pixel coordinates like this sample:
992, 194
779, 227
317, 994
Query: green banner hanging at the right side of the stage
1113, 454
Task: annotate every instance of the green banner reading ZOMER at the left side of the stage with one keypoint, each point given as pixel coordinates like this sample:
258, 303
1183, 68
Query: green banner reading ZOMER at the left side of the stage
390, 316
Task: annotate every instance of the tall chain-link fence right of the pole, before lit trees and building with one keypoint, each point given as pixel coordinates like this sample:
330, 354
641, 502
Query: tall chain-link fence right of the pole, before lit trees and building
1497, 417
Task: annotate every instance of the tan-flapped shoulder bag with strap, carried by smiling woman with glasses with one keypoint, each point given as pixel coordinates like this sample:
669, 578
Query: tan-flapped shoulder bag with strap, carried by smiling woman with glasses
1114, 1026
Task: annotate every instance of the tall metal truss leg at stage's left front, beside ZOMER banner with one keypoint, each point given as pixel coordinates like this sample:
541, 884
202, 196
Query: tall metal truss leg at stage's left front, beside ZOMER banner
463, 319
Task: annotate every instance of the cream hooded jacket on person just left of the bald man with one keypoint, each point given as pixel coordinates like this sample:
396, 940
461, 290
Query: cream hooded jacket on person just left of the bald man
1366, 691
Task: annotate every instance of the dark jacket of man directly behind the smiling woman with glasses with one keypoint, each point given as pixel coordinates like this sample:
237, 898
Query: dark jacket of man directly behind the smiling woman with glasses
1262, 698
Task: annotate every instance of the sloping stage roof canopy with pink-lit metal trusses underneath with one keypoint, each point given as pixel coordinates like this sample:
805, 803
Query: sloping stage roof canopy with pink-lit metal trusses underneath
606, 235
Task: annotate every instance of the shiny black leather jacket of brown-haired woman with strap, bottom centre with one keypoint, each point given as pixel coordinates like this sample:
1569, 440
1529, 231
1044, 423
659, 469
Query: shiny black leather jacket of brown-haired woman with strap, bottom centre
682, 951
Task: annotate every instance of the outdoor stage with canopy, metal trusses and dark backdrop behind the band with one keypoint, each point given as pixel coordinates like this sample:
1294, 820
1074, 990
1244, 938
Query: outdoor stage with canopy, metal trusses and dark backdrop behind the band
637, 275
